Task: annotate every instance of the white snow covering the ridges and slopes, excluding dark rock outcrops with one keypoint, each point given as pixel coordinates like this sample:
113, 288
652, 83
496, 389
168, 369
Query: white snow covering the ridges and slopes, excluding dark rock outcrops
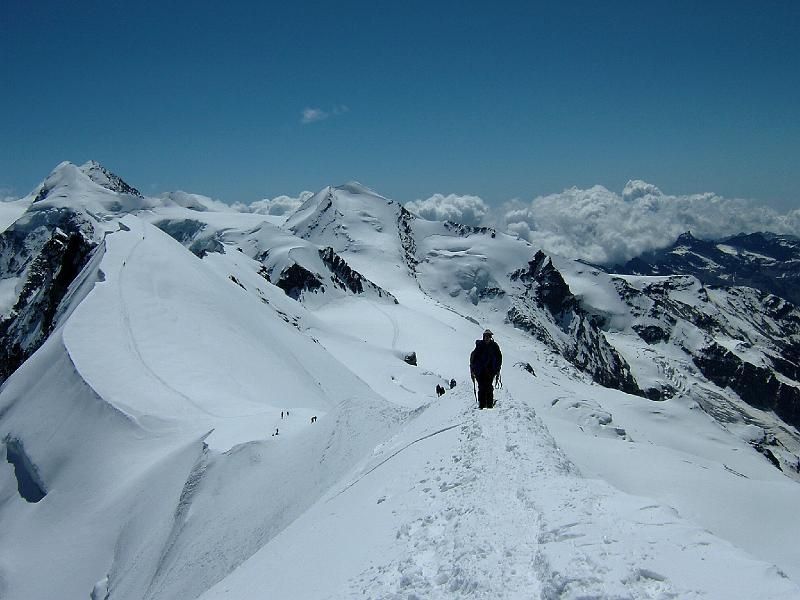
169, 419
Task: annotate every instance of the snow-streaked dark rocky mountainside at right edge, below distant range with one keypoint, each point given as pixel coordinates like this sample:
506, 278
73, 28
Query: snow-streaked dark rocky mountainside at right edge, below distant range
681, 311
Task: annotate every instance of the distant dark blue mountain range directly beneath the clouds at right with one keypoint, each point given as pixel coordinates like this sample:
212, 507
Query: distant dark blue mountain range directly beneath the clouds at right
764, 261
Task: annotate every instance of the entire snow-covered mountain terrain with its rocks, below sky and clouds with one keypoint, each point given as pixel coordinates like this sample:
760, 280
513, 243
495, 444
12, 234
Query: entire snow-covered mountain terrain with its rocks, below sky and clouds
203, 403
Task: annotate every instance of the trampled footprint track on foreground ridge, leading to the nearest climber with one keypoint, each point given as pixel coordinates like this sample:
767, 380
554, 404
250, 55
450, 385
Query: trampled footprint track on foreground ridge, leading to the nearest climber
467, 543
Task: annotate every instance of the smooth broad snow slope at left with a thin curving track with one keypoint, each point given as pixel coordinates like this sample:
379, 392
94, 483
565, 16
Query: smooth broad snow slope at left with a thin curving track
145, 364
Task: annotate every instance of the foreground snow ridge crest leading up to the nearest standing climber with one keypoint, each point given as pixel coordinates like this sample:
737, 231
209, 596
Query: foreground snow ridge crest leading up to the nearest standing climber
466, 504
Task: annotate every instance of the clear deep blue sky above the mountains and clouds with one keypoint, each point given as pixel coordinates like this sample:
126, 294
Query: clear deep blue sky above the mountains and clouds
501, 100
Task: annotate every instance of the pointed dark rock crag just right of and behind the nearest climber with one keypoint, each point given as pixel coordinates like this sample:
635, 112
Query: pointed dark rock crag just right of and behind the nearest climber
581, 341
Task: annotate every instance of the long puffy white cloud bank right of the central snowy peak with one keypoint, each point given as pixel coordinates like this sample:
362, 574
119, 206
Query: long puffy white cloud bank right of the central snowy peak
601, 226
